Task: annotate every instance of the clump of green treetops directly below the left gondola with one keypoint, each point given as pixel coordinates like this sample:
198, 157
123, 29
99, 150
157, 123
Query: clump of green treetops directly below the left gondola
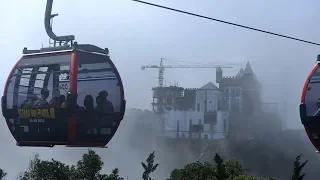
88, 168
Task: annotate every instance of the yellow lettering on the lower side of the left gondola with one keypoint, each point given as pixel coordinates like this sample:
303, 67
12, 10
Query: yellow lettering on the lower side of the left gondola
37, 113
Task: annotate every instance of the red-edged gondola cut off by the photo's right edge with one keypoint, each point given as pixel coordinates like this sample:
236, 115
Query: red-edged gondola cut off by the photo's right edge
310, 105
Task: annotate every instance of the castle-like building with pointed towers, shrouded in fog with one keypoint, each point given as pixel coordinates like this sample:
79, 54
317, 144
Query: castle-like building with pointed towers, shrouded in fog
207, 112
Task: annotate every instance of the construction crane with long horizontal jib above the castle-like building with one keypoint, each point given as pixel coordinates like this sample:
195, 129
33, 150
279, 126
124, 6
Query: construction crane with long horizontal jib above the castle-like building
161, 68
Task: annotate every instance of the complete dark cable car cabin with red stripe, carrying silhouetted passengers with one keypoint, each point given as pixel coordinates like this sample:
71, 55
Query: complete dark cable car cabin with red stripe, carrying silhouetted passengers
70, 97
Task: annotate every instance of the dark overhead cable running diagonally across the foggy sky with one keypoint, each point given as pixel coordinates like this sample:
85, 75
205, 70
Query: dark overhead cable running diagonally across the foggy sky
226, 22
